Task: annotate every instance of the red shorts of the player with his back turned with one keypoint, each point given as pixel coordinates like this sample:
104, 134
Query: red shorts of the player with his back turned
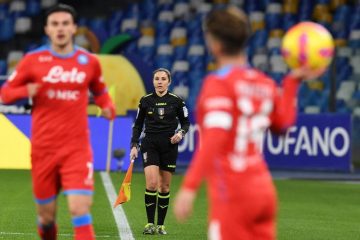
249, 214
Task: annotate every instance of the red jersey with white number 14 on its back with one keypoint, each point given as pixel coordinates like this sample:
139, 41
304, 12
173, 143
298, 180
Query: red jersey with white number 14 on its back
235, 107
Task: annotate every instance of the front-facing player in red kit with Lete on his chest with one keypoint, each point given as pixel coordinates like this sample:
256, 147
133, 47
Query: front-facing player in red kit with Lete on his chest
57, 77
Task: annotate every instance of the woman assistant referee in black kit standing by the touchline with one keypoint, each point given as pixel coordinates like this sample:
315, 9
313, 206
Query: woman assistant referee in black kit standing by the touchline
161, 112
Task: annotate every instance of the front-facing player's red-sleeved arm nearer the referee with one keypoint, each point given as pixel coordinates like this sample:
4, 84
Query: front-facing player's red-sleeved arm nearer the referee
100, 93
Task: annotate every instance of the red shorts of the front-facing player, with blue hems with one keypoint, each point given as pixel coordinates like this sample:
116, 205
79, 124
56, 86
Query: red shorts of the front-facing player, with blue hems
69, 170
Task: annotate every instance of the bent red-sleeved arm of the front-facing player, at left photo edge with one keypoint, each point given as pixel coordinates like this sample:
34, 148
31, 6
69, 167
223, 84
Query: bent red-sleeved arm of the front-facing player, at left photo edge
18, 85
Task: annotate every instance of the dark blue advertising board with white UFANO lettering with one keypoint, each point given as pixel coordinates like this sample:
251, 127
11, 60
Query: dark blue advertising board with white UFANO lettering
316, 142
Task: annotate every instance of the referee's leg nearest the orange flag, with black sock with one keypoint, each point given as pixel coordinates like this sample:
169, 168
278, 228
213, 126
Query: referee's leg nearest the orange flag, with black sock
150, 158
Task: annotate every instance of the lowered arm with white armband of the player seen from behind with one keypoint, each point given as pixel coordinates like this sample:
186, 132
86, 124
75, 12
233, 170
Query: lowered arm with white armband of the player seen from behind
216, 123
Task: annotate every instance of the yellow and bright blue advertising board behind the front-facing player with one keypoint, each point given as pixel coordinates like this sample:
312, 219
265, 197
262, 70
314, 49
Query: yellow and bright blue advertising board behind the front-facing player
15, 141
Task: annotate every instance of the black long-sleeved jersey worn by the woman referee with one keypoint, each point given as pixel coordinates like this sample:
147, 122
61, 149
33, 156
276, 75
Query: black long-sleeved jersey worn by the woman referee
160, 115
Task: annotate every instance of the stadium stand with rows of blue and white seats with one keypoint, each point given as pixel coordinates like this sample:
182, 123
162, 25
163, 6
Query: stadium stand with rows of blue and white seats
168, 34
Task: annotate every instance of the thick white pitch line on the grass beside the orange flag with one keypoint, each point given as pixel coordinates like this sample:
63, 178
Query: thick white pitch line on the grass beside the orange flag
124, 229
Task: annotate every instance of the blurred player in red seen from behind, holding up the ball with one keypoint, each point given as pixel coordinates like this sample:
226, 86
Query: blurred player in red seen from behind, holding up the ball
236, 105
